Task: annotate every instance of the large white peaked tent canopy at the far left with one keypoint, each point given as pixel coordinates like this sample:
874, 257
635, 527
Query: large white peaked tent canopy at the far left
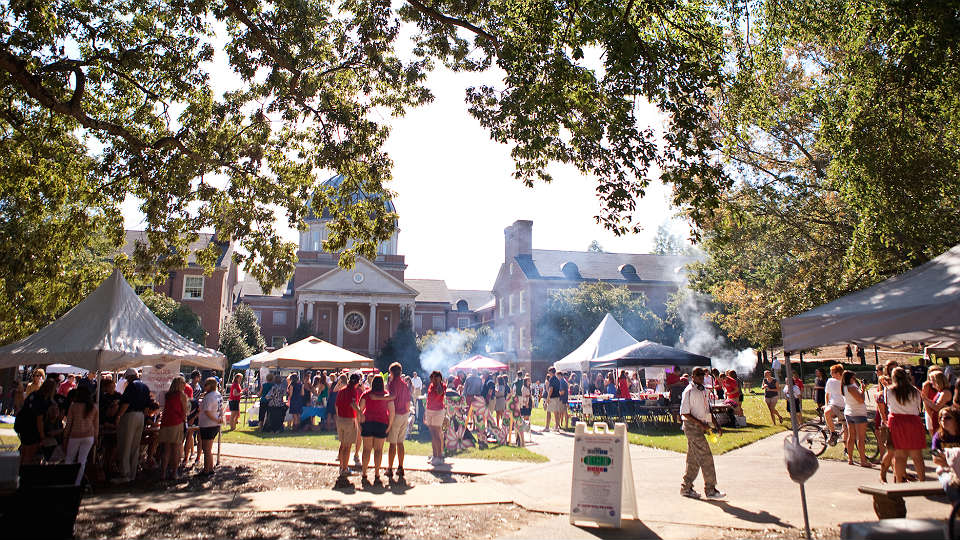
110, 330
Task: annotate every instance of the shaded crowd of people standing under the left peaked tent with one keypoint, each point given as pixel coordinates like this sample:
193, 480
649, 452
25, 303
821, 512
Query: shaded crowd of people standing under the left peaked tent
124, 429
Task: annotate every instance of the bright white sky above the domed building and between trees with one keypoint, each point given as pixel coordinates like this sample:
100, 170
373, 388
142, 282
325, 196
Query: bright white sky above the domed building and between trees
456, 194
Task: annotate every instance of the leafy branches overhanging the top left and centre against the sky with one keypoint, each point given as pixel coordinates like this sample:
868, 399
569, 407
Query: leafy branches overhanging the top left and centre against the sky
143, 106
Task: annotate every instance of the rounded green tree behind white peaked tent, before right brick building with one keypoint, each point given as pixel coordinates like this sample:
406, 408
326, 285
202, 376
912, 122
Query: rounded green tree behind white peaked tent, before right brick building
571, 315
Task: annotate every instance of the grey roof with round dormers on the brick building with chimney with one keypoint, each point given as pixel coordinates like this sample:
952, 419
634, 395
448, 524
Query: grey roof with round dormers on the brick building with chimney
595, 266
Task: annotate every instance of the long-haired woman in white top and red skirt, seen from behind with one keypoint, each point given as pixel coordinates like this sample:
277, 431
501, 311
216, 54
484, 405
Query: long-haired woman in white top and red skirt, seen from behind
906, 428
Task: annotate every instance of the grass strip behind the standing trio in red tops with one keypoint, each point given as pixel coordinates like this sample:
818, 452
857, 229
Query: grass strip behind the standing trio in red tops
418, 444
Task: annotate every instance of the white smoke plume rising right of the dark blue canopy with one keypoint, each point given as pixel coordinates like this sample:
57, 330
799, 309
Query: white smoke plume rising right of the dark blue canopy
700, 336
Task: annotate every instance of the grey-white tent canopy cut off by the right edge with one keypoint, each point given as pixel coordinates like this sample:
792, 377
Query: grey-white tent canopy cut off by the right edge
922, 304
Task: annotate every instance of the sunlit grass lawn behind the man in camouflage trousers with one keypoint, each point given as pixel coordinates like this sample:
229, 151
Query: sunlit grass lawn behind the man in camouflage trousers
670, 437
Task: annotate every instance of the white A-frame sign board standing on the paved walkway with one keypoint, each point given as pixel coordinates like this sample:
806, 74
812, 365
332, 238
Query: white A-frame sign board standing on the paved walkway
602, 488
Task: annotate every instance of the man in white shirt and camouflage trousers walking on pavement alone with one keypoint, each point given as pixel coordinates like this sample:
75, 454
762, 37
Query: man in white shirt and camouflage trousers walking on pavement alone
697, 420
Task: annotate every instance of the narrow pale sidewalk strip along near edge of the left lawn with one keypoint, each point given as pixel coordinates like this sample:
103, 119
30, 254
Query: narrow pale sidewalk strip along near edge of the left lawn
312, 456
